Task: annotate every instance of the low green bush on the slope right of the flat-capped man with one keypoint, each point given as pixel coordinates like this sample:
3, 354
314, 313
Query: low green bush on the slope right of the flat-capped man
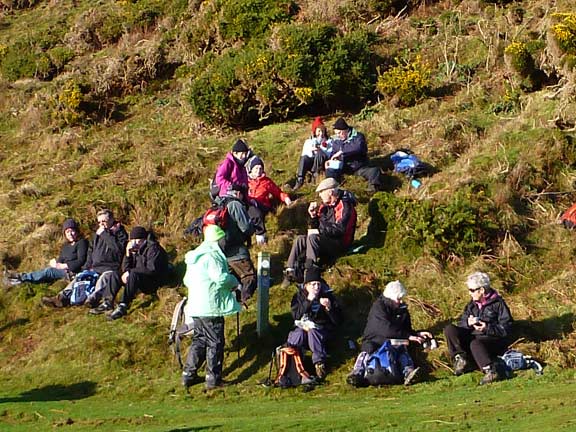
461, 227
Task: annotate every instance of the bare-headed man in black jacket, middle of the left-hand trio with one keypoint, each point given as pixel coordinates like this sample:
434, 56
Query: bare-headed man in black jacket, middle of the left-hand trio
104, 257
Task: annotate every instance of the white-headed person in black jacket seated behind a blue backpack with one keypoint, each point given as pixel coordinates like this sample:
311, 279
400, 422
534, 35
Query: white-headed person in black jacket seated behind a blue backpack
389, 321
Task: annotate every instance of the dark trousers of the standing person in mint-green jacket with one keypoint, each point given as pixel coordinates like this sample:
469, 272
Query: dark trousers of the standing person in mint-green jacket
207, 346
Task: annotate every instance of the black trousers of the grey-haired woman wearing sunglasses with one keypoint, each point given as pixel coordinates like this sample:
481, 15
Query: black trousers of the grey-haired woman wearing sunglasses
482, 348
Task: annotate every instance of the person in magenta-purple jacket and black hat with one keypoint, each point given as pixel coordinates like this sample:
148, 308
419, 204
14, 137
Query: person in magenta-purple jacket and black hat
231, 170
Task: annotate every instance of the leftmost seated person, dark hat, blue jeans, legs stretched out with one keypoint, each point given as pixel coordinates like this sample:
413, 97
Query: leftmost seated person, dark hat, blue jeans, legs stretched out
71, 259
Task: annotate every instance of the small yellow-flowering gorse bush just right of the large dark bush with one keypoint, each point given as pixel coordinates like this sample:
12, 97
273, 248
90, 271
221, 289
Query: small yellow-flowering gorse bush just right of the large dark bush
409, 82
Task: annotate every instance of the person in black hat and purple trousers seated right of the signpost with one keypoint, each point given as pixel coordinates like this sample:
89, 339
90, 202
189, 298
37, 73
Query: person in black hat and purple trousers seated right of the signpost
316, 314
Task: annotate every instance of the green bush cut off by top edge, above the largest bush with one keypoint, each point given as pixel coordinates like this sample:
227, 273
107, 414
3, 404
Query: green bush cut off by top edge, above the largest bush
246, 19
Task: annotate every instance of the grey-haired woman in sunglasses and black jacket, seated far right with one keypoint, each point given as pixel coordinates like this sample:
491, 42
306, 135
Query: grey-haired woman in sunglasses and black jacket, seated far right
482, 331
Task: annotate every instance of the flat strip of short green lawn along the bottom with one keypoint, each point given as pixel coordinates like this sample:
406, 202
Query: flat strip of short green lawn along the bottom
525, 403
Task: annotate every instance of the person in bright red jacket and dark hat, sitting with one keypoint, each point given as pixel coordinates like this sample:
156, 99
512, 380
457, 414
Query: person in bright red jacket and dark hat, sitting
263, 196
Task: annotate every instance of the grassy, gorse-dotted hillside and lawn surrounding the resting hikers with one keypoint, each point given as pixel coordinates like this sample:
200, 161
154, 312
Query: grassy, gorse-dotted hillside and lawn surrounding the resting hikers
98, 109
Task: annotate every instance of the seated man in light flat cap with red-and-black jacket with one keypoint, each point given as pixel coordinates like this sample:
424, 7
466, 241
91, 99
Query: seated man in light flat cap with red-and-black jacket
331, 231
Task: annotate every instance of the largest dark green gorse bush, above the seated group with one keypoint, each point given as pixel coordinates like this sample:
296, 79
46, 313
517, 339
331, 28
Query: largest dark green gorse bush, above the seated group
306, 66
